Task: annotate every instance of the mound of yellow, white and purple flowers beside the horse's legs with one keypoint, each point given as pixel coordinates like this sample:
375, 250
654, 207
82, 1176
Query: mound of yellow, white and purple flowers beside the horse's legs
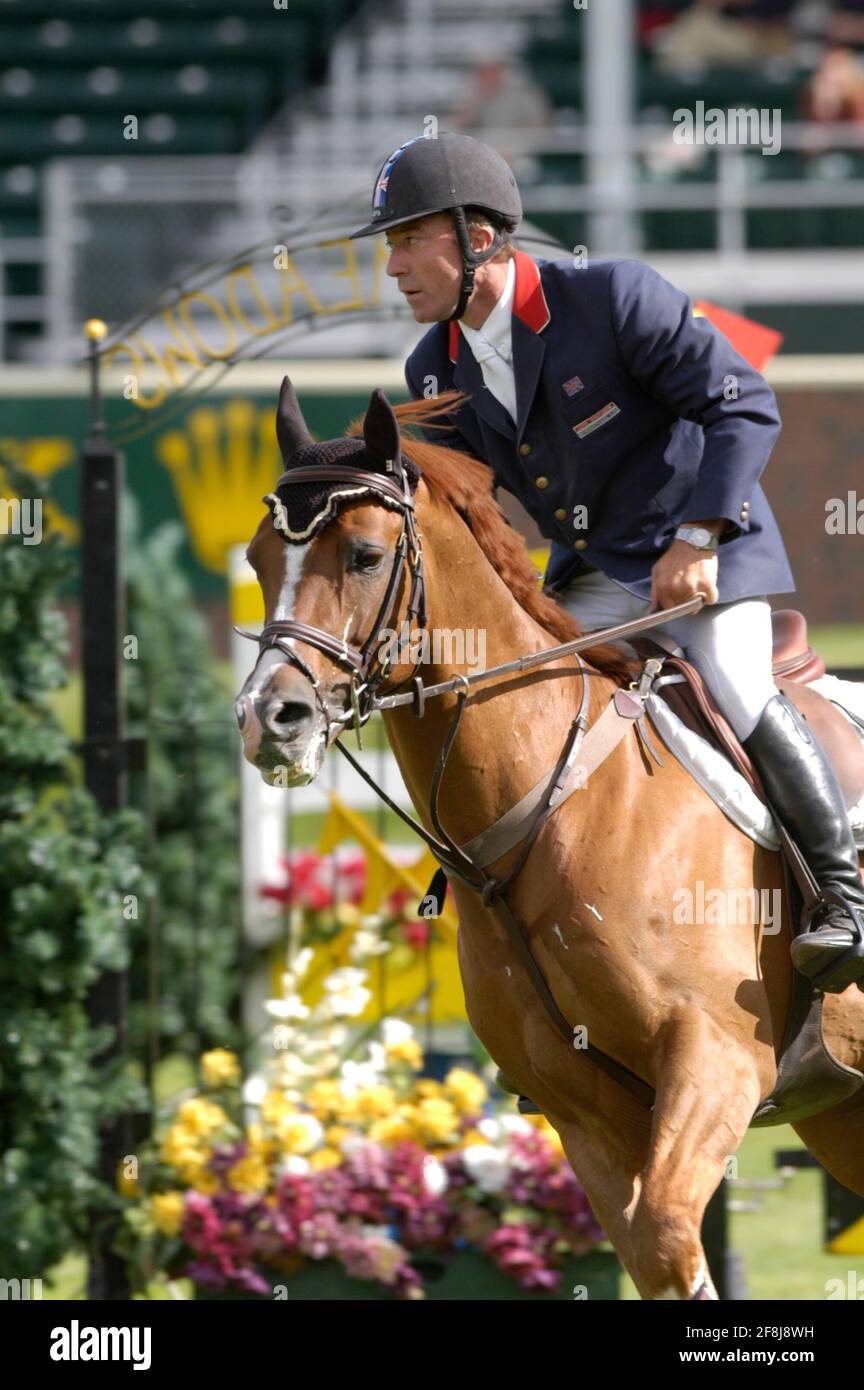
342, 1161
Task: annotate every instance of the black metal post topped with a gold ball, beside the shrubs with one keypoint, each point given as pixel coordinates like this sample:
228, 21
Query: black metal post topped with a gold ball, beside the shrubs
102, 628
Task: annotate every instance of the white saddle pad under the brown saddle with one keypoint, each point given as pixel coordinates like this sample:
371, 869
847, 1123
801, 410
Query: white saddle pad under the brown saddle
726, 785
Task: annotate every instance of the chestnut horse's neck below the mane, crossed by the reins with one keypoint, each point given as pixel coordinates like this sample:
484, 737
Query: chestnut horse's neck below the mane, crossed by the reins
513, 728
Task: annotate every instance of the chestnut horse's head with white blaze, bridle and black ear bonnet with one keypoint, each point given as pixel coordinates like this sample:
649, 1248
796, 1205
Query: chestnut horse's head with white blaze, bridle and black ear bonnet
330, 562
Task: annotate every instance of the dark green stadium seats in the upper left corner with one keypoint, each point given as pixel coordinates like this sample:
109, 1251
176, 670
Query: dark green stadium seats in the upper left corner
202, 77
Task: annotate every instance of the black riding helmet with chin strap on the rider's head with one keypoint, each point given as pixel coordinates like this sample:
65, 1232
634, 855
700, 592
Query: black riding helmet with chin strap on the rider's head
447, 174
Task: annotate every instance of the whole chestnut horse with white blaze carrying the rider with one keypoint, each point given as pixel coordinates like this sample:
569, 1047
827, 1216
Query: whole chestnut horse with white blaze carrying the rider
694, 1010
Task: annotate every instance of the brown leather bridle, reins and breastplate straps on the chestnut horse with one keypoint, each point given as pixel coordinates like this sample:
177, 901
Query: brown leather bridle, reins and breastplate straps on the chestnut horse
367, 672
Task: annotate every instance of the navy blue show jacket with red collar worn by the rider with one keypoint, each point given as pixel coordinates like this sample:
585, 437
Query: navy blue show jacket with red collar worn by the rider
634, 416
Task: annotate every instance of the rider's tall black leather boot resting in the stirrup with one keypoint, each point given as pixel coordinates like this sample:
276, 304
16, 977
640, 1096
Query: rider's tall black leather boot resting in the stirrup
804, 792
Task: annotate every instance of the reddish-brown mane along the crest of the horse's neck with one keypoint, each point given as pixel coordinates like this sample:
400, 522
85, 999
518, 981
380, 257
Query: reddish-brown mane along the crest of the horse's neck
466, 484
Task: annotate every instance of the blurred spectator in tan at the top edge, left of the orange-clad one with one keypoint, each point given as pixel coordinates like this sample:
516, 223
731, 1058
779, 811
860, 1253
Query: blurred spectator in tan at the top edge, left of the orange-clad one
736, 34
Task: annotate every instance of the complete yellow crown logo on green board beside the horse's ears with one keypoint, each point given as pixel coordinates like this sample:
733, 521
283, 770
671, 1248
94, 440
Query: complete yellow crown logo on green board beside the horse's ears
222, 465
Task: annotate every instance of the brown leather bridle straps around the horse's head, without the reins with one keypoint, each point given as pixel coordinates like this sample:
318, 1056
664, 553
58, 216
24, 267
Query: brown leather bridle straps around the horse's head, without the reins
366, 671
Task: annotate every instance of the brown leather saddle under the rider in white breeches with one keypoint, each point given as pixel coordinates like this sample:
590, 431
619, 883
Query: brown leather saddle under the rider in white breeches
809, 1079
